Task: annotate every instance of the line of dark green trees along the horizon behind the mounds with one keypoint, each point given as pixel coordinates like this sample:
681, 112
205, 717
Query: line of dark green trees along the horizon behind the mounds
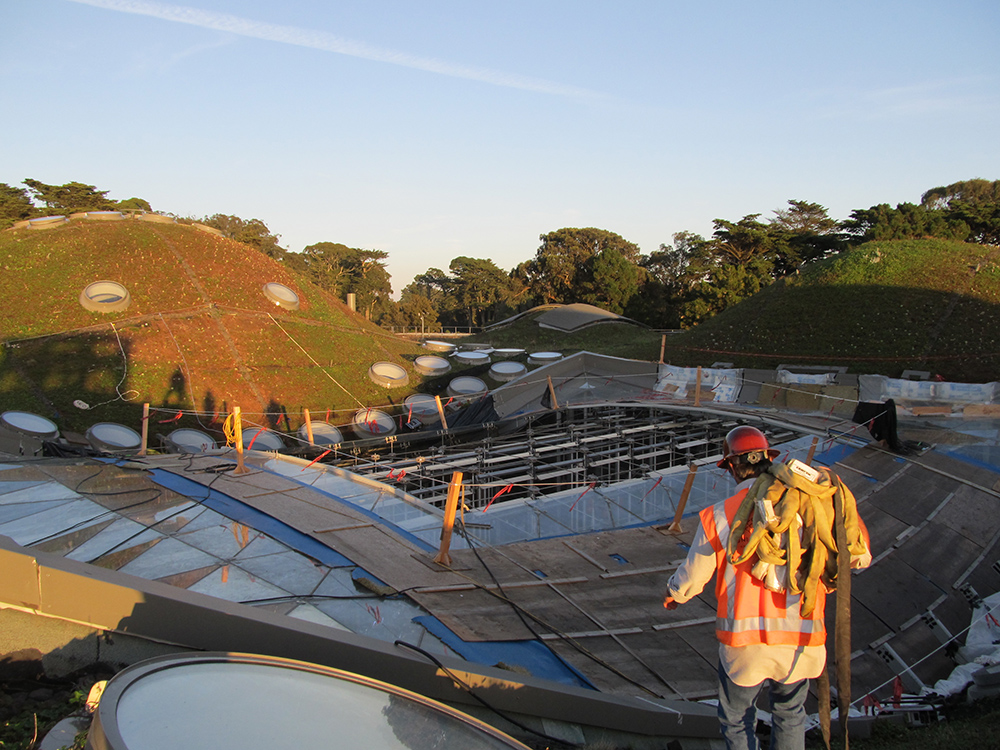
675, 286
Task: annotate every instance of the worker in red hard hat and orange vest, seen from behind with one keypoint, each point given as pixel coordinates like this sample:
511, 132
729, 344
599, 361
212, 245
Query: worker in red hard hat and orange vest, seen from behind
764, 639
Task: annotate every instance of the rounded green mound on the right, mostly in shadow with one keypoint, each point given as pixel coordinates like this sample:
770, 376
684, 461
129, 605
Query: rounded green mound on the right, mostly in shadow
883, 307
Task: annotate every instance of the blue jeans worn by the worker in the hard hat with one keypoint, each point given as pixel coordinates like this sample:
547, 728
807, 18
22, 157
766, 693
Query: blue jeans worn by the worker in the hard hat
738, 714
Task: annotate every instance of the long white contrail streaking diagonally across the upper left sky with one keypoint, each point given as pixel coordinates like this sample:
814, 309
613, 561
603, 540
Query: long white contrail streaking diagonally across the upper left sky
330, 43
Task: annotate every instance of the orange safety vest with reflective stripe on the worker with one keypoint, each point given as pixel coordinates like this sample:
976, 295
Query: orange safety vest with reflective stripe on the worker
747, 612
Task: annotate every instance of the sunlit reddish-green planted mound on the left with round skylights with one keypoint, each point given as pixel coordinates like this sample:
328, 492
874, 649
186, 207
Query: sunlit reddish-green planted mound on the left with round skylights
199, 333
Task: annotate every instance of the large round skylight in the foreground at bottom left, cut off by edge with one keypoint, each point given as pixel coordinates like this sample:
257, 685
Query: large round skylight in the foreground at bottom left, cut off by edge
250, 702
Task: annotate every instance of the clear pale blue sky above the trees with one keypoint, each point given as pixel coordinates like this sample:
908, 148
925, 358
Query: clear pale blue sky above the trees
432, 129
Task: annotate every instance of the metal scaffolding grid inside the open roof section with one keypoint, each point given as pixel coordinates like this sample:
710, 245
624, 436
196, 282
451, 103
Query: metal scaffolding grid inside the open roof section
556, 450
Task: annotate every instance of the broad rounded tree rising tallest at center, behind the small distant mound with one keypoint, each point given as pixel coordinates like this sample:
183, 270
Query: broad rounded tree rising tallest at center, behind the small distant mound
563, 263
